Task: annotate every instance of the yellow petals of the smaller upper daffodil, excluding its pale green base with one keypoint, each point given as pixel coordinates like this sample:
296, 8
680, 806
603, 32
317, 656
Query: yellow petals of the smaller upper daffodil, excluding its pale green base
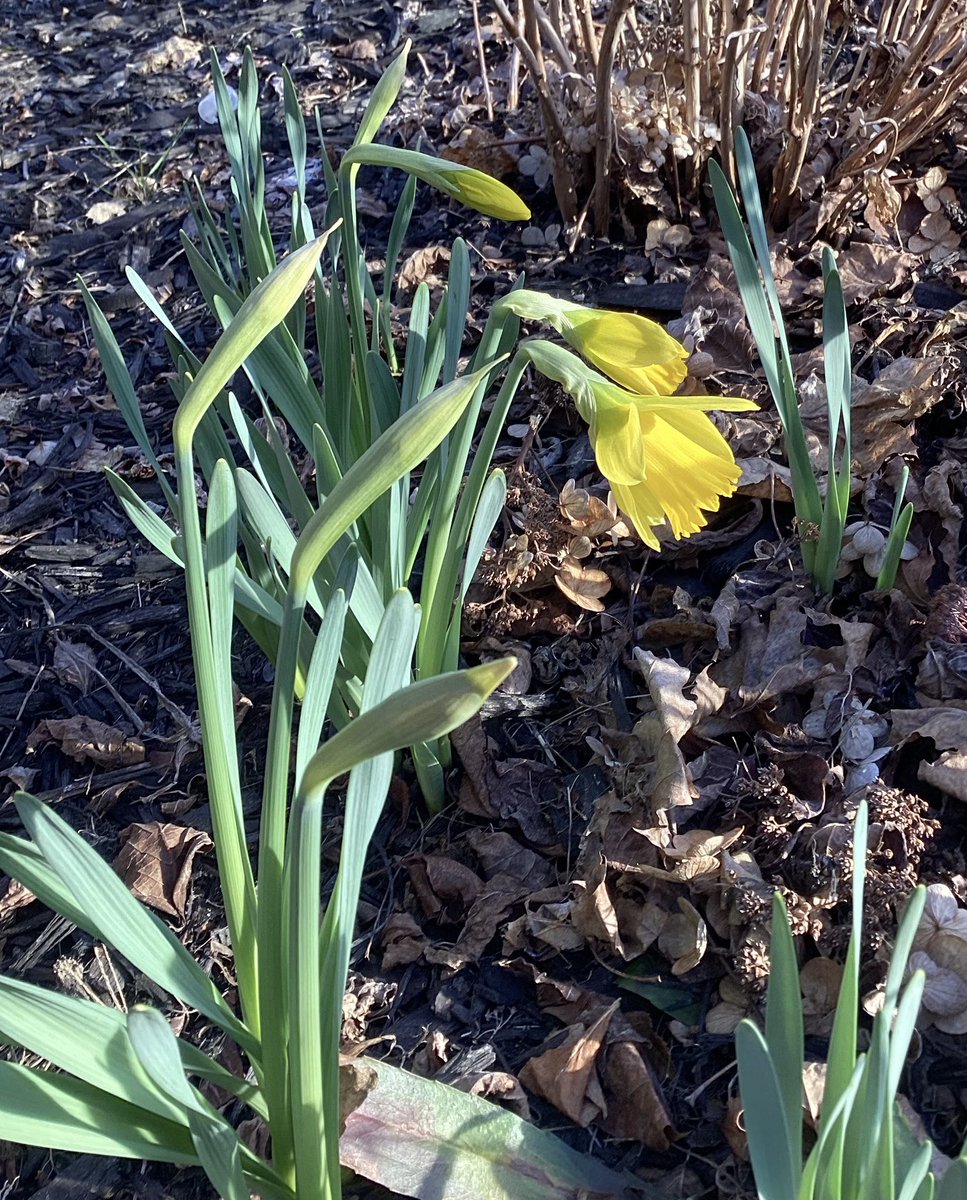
635, 352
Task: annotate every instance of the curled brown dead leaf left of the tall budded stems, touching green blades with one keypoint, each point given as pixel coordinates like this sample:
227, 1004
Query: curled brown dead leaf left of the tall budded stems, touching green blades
155, 861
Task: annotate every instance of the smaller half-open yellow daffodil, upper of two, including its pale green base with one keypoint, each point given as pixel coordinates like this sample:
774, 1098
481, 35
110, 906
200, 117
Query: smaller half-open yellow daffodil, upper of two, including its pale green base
634, 351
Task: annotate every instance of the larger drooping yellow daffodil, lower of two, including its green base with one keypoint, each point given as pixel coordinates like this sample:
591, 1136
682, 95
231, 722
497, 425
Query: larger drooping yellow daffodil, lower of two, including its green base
663, 457
